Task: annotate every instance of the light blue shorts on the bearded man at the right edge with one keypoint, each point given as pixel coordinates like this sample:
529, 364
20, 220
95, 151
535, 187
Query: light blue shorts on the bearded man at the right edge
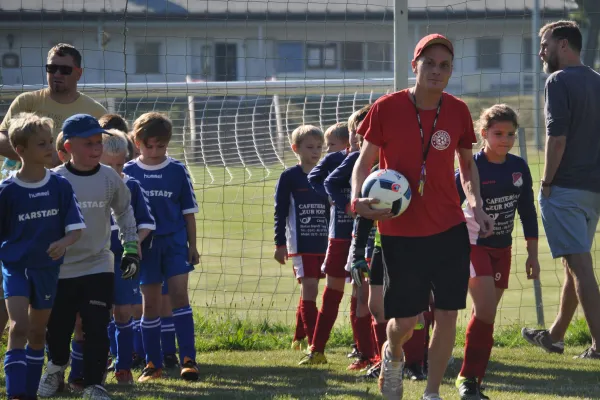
570, 217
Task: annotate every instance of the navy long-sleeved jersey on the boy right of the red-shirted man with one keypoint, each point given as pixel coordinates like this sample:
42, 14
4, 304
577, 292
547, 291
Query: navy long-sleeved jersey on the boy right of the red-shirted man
505, 188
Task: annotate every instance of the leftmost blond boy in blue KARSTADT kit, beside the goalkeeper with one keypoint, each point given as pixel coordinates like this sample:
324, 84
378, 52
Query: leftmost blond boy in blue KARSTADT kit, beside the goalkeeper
39, 219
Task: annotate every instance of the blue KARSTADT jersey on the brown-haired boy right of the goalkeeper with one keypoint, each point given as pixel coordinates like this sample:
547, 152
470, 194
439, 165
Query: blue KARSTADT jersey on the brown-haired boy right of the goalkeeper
168, 187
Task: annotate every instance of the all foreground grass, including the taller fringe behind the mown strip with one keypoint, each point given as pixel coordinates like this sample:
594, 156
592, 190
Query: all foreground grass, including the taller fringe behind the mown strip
240, 359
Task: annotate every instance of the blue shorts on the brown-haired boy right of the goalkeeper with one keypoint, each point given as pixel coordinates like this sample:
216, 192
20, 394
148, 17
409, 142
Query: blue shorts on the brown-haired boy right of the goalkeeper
164, 256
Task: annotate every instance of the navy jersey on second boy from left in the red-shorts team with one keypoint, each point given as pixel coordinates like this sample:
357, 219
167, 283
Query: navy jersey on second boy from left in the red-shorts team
340, 225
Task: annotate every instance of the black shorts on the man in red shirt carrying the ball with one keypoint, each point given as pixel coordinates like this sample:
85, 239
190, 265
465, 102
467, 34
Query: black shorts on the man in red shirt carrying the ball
415, 266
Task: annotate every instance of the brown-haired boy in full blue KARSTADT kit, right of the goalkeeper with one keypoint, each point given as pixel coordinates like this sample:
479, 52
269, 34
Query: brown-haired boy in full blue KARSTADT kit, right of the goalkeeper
171, 252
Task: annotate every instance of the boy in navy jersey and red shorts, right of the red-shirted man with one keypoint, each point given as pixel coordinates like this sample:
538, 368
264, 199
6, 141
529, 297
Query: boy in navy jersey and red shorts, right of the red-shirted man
506, 187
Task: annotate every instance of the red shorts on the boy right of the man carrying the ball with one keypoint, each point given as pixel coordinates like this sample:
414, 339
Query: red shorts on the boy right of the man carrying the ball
489, 261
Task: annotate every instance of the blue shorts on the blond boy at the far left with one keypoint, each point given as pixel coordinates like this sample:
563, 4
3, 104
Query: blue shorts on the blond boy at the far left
37, 284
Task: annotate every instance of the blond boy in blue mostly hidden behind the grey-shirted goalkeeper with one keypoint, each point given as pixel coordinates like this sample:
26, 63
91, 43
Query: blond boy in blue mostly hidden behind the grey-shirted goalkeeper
126, 290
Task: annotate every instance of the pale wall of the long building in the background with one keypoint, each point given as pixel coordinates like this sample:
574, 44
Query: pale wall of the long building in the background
113, 64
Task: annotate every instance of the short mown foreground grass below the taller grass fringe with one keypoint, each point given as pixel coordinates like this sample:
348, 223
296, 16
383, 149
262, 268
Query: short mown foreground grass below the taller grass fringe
525, 373
